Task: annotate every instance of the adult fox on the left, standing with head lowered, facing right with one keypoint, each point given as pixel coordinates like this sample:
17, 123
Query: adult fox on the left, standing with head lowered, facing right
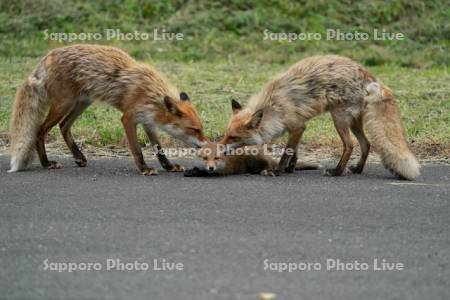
68, 79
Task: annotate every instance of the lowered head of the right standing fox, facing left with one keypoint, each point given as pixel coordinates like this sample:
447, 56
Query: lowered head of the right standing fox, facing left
244, 127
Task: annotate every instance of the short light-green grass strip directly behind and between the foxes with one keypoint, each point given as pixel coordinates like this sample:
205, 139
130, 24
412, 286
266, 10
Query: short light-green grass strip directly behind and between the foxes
423, 96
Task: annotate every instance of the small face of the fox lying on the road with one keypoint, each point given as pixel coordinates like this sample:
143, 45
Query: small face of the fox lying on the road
212, 157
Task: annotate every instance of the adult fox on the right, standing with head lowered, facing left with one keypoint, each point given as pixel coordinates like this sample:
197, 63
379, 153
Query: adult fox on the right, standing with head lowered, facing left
319, 84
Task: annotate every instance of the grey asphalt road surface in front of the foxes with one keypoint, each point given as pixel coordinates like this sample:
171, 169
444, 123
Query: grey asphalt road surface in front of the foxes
232, 237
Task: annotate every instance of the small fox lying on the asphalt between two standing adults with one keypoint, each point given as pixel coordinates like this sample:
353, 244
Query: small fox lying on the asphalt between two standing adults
214, 162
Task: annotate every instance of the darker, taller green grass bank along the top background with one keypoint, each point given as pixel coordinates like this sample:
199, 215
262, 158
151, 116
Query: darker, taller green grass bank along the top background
234, 29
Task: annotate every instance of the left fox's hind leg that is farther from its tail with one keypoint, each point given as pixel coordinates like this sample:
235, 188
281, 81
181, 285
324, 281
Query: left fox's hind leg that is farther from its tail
65, 127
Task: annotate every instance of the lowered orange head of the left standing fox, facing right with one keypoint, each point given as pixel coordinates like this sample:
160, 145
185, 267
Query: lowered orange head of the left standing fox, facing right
181, 120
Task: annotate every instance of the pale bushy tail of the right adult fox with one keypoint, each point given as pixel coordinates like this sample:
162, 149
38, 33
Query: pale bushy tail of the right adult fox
386, 134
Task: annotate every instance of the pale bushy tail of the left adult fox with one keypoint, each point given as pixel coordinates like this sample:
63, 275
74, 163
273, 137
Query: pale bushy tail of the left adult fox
29, 107
